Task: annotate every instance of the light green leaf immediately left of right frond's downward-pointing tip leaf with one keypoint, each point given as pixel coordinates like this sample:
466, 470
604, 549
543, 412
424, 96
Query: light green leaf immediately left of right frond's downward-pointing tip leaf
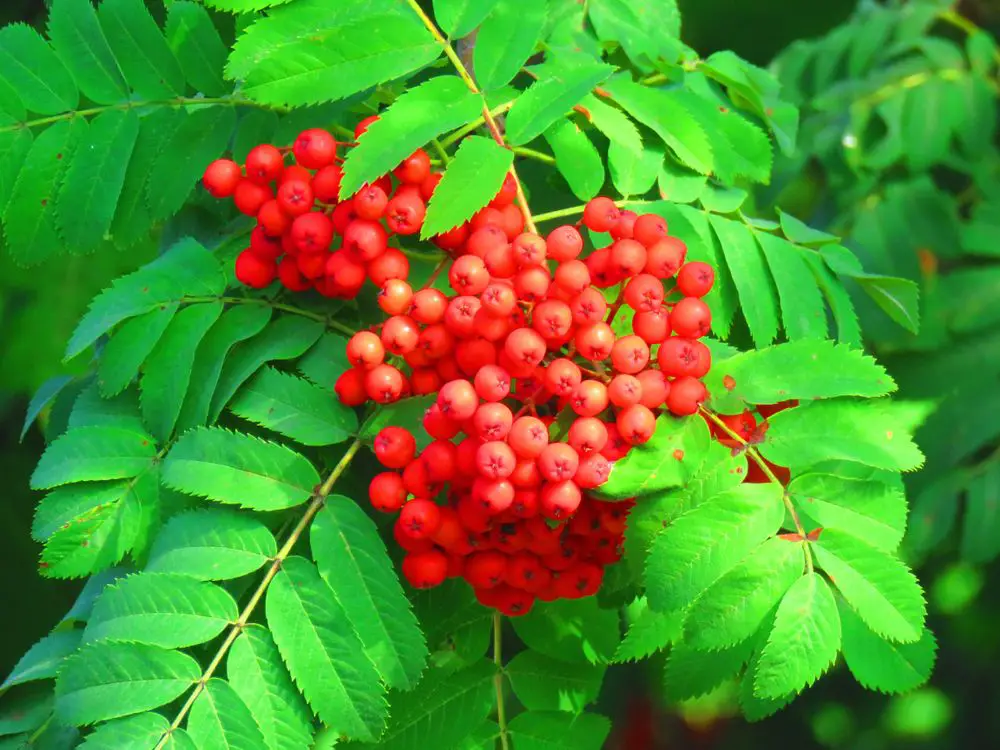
735, 607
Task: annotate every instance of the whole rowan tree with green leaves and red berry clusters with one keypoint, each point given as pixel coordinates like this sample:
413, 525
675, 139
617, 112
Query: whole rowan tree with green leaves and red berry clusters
212, 475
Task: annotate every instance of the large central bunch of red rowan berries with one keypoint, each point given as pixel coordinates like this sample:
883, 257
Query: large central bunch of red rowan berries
536, 396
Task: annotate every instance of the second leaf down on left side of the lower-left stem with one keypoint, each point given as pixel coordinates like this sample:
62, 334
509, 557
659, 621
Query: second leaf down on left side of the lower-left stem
211, 544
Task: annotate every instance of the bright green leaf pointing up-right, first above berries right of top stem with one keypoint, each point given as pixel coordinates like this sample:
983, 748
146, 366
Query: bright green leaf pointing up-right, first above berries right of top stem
548, 99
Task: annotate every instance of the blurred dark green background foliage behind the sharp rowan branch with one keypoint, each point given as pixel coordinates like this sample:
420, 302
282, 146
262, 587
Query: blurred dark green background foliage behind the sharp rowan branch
923, 202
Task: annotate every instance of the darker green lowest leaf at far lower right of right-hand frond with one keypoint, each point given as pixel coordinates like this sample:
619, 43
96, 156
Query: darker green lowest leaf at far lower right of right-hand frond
880, 665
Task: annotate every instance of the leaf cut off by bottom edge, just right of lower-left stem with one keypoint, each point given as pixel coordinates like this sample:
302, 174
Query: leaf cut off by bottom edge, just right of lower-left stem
220, 720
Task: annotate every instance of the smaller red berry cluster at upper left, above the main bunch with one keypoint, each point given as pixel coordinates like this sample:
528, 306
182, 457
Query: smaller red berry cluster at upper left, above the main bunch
299, 216
